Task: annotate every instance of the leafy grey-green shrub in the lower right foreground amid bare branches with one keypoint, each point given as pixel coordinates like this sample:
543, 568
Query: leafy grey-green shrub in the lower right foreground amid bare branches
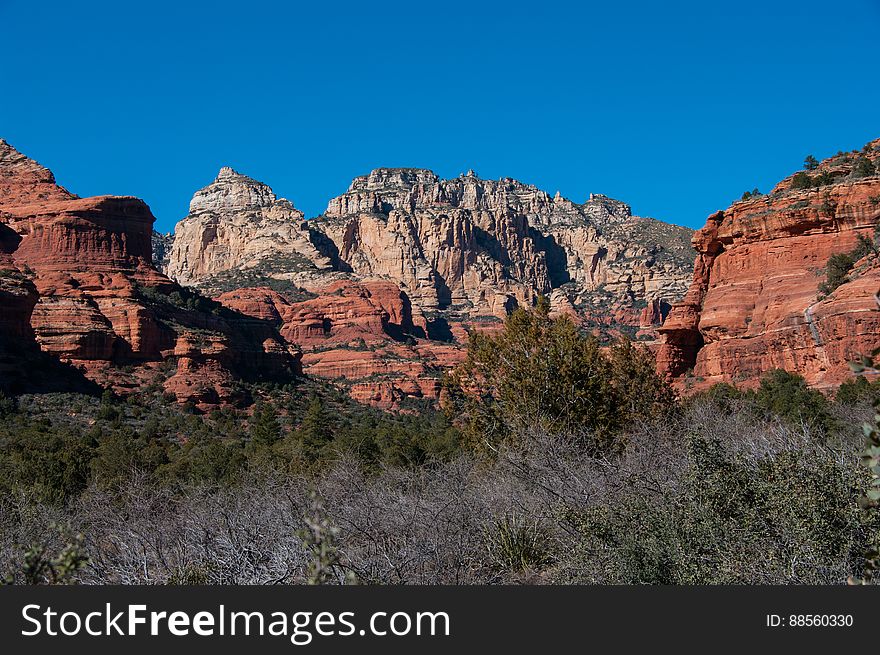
730, 519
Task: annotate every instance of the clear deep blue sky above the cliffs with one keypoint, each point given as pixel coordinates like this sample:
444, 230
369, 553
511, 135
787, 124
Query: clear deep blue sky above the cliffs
673, 107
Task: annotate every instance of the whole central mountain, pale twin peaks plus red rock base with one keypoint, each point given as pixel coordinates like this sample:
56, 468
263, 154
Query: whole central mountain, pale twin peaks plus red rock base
403, 265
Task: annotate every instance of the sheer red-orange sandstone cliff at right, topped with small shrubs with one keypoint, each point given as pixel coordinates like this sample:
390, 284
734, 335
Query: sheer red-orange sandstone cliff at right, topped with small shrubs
755, 303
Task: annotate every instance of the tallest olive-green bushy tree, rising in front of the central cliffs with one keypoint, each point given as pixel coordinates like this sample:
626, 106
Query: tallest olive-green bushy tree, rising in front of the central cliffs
542, 373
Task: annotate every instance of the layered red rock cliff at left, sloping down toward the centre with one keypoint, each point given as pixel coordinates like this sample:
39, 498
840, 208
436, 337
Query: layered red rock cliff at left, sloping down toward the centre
91, 297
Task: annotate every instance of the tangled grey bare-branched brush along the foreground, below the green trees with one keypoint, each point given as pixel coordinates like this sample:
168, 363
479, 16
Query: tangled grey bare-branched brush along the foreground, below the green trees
714, 493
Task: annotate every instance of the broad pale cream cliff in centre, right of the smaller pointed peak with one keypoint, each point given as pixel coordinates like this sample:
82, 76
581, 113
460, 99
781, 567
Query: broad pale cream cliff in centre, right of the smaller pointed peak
482, 247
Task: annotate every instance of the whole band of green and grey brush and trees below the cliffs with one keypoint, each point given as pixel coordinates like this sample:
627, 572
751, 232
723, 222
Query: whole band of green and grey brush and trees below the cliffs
555, 460
